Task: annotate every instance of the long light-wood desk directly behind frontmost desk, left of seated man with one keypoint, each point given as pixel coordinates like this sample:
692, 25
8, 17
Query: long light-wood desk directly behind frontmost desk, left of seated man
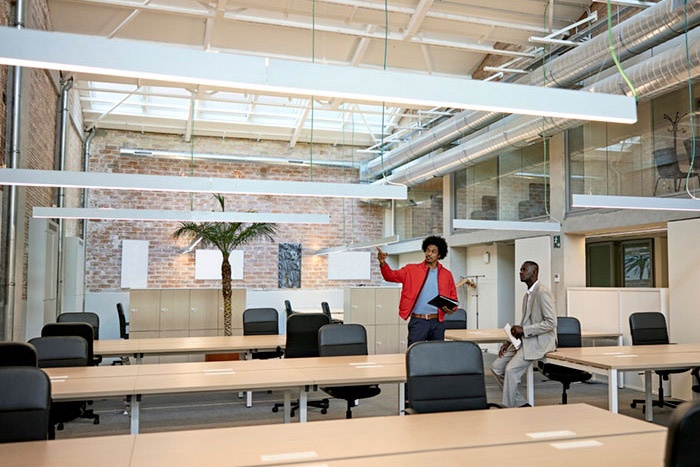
292, 375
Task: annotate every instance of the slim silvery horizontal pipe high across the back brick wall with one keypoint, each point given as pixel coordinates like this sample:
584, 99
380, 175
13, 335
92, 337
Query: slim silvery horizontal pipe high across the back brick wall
159, 153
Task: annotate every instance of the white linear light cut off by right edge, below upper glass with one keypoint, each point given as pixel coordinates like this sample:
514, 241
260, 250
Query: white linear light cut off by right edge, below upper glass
635, 202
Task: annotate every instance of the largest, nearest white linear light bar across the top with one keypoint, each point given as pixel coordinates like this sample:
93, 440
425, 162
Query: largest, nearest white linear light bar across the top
81, 53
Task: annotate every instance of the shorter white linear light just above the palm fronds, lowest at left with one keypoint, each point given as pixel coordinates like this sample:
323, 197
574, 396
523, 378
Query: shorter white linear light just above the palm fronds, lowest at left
181, 216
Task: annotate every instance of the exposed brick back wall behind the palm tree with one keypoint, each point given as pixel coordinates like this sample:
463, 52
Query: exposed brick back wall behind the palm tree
351, 220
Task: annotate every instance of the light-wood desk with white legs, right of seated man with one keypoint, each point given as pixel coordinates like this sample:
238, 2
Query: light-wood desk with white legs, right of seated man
612, 360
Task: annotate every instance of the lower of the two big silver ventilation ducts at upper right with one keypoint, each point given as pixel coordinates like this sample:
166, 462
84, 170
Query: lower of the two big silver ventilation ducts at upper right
656, 76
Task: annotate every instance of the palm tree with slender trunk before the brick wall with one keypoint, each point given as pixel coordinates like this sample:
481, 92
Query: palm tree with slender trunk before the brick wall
226, 236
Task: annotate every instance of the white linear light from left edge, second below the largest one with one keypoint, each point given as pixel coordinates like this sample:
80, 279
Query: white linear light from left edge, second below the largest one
141, 182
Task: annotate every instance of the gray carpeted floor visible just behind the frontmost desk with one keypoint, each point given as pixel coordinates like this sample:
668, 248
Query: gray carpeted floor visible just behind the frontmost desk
224, 409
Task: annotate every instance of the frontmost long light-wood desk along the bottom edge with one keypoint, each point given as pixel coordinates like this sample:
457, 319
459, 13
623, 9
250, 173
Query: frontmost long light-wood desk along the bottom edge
374, 440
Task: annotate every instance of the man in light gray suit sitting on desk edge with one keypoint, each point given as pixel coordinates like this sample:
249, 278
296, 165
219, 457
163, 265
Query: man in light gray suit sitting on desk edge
537, 331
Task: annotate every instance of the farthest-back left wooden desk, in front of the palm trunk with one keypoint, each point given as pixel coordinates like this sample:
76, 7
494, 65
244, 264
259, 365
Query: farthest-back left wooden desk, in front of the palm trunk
138, 348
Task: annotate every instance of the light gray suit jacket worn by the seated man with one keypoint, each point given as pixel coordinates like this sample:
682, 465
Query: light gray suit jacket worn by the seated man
539, 324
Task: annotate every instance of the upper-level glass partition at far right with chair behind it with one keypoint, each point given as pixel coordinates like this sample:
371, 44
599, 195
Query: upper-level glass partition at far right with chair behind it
649, 158
